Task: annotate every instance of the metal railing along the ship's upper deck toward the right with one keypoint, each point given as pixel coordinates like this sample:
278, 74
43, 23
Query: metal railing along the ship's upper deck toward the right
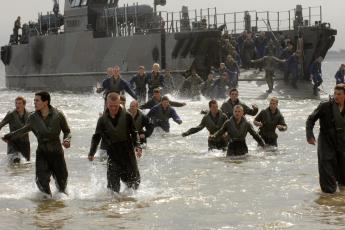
236, 22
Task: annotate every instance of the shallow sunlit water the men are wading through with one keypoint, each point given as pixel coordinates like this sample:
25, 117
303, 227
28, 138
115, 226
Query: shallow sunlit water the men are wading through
183, 186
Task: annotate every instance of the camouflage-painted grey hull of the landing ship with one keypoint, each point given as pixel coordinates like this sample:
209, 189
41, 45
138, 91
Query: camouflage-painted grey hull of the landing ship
77, 61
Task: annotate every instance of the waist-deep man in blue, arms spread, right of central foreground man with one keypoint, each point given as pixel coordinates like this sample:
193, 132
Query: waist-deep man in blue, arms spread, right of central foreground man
161, 113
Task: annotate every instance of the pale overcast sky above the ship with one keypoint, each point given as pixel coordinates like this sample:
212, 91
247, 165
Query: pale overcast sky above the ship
333, 11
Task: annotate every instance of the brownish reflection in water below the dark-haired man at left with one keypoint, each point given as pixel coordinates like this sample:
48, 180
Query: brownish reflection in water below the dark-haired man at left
51, 214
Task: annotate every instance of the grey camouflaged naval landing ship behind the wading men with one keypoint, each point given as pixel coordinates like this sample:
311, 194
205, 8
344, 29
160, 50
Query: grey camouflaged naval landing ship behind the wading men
73, 50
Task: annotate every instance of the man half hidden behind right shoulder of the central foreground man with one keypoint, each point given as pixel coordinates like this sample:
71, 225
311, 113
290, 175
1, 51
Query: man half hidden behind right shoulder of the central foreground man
141, 122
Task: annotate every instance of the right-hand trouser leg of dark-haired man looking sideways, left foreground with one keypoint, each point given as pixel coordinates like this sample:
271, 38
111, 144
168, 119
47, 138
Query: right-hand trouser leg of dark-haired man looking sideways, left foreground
59, 171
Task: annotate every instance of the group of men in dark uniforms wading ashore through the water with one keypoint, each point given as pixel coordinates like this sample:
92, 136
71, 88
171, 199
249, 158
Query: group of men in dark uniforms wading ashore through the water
121, 132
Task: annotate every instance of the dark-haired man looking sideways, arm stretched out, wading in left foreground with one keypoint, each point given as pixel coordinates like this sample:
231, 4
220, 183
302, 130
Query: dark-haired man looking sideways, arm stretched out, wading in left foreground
47, 123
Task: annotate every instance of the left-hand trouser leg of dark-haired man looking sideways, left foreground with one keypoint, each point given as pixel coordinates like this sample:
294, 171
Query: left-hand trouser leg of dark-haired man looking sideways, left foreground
43, 173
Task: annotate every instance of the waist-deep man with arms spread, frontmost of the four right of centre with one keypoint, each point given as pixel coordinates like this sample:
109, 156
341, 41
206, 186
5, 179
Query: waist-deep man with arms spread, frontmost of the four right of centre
237, 128
